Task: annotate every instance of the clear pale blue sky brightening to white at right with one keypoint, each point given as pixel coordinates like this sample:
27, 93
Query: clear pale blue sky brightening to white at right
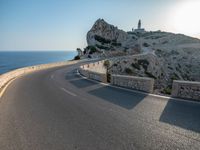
63, 24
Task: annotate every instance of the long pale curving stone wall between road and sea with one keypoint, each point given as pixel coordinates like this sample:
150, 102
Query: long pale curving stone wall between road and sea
5, 78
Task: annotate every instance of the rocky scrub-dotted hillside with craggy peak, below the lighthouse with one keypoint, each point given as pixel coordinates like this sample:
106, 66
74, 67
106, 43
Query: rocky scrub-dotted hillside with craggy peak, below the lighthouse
159, 55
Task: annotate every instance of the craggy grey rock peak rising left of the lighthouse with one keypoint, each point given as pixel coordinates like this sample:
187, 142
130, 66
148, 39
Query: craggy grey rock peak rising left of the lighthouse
106, 38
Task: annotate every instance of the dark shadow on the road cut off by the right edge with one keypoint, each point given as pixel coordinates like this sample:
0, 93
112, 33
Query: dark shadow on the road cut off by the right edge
182, 114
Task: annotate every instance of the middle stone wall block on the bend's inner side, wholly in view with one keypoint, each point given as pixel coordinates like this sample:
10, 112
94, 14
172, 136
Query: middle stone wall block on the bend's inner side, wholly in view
138, 83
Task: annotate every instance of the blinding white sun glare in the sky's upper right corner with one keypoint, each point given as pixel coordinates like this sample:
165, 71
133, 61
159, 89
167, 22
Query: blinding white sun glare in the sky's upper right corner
186, 16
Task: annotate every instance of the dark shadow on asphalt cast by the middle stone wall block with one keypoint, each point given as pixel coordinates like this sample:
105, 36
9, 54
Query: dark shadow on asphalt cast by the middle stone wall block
119, 97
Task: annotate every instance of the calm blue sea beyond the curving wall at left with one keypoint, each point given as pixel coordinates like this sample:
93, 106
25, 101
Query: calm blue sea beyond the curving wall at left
10, 60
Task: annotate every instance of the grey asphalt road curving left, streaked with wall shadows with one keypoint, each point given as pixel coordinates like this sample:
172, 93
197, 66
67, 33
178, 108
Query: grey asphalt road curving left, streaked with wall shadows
55, 109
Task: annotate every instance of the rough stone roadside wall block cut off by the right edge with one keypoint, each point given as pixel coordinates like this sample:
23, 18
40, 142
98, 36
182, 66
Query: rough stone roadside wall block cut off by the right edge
186, 89
